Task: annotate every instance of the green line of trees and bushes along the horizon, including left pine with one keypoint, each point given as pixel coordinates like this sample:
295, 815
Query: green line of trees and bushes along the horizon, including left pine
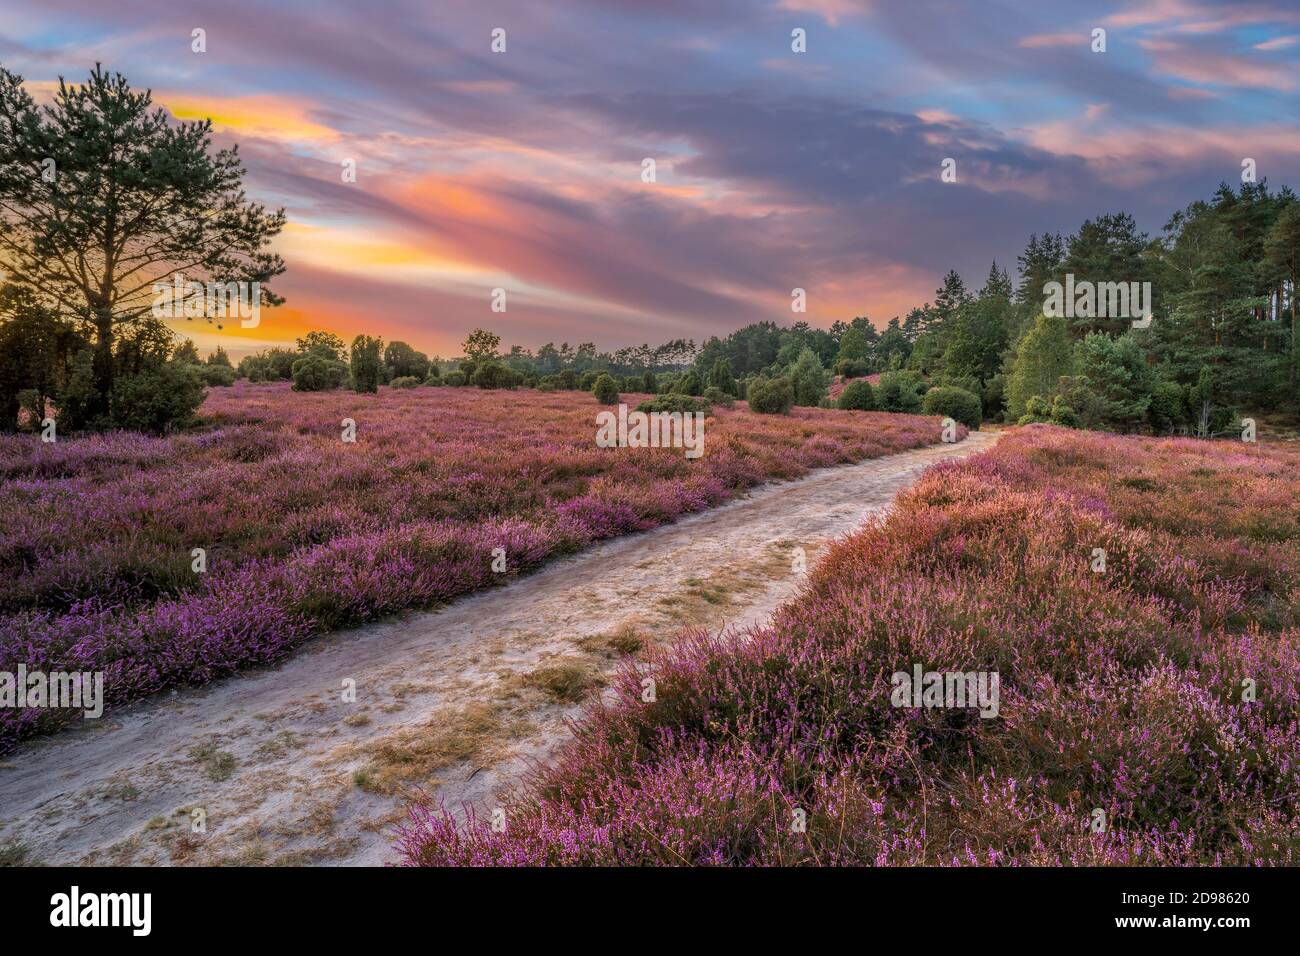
102, 198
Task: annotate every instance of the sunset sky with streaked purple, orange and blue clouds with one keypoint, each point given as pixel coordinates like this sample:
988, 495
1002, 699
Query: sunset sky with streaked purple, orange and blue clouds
774, 170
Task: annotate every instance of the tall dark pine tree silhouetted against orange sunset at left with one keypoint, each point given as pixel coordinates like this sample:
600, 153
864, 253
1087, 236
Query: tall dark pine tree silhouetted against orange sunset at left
103, 197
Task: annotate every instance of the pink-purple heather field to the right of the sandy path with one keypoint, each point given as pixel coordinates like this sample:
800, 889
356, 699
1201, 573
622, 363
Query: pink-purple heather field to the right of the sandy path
1149, 710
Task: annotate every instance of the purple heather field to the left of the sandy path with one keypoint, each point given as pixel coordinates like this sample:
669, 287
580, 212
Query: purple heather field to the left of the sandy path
305, 534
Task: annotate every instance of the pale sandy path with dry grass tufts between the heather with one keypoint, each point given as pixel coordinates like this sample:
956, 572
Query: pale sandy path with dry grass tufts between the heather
284, 771
